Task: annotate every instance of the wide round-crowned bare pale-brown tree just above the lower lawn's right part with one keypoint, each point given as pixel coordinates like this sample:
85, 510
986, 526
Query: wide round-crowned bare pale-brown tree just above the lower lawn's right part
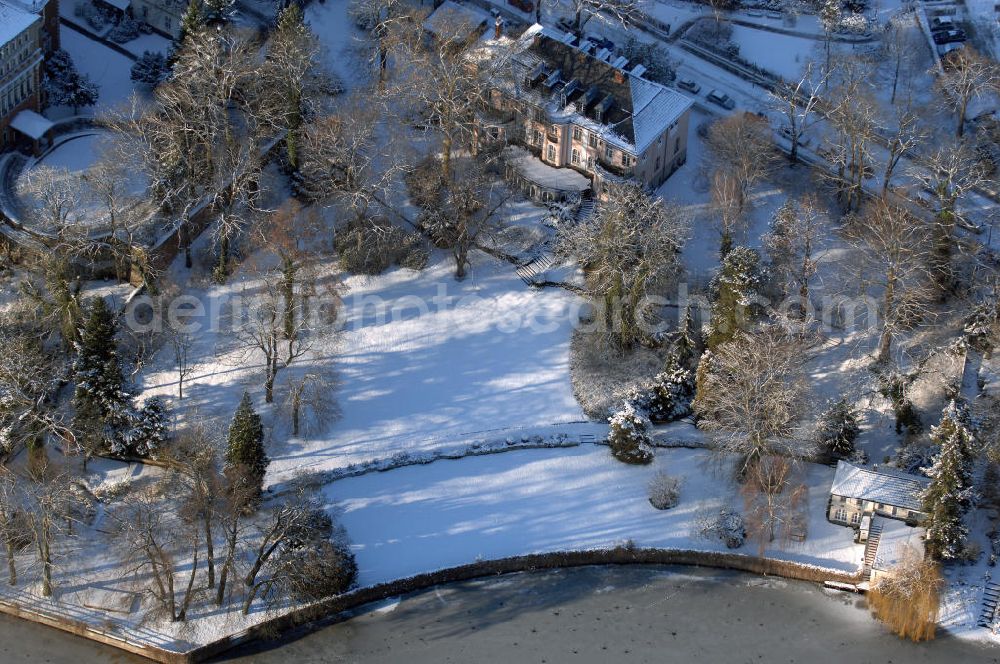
750, 398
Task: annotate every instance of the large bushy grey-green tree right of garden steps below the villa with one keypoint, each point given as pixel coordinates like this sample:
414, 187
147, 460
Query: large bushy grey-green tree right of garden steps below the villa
628, 248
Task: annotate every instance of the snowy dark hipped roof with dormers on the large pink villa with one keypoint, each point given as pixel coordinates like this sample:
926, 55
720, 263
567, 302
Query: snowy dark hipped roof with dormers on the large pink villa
574, 79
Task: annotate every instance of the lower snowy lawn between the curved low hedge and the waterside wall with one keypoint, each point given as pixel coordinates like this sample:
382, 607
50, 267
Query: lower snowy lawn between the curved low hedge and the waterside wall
424, 518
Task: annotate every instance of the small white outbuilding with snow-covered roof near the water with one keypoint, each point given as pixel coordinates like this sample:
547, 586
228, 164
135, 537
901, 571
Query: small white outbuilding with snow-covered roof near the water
858, 492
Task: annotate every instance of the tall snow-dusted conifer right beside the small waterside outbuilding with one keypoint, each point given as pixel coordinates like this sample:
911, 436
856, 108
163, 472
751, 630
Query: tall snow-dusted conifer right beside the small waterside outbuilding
950, 493
